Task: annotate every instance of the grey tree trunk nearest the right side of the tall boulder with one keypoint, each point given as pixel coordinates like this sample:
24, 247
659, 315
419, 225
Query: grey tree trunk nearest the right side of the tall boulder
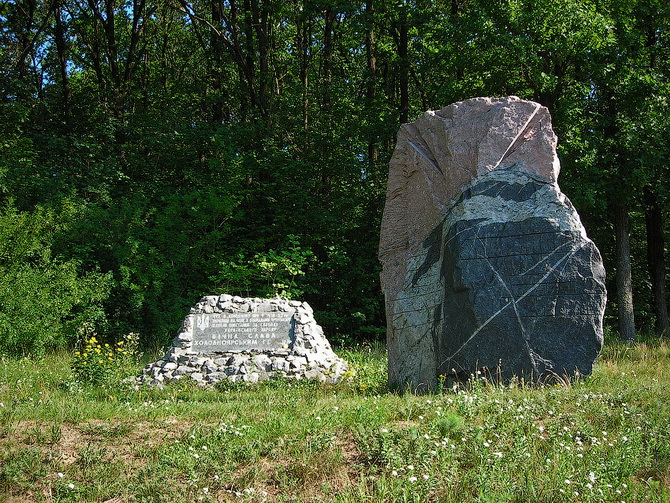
624, 280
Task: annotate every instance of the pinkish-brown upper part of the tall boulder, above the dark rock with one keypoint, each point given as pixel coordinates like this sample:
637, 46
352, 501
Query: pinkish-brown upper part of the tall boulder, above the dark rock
444, 150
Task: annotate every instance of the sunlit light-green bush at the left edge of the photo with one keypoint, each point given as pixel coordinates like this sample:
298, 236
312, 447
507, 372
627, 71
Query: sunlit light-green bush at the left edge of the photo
43, 299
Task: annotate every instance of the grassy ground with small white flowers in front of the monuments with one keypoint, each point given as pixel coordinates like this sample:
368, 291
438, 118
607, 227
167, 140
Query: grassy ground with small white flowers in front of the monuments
604, 439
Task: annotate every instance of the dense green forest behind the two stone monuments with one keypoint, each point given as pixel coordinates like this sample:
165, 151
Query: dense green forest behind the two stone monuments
154, 151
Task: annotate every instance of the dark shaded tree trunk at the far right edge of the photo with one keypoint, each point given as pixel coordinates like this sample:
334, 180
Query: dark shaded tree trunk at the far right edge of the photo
656, 261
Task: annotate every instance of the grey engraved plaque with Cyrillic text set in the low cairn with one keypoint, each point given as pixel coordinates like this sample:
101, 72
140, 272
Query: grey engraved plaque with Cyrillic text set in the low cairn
242, 331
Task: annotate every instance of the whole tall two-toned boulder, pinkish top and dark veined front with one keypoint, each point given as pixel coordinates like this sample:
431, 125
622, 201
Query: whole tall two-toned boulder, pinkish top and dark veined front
486, 265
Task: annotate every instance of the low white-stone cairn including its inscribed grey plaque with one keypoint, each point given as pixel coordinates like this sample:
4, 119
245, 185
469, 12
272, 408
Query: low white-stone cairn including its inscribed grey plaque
247, 339
